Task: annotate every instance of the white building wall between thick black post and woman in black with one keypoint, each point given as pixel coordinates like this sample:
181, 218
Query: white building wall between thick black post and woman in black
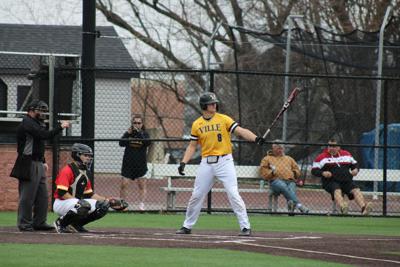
112, 119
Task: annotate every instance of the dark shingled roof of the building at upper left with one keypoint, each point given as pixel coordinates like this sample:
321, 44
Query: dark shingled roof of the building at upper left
59, 39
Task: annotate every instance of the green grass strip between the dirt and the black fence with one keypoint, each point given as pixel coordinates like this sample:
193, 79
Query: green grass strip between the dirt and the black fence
262, 223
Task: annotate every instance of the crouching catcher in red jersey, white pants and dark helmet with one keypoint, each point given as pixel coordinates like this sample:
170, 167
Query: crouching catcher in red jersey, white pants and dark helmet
75, 201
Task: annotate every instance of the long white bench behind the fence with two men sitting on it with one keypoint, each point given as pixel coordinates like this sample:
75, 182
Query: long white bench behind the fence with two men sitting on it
251, 173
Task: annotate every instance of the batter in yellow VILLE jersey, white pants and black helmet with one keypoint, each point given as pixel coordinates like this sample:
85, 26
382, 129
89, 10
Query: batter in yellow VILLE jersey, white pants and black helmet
212, 131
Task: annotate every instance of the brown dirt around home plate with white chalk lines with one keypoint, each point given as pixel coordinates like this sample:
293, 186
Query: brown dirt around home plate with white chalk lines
357, 250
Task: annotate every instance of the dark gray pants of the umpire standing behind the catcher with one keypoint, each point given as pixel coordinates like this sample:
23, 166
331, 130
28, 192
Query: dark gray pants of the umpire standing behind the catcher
33, 198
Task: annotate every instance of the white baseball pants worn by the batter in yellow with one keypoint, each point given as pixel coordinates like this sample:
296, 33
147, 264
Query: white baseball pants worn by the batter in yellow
225, 172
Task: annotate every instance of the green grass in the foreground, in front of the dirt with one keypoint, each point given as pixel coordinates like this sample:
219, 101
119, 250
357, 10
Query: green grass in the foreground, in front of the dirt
97, 256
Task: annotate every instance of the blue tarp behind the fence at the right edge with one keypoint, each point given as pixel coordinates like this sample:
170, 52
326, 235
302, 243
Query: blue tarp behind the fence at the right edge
393, 156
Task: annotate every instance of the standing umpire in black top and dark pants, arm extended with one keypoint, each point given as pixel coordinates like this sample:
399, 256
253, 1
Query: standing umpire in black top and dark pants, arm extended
30, 168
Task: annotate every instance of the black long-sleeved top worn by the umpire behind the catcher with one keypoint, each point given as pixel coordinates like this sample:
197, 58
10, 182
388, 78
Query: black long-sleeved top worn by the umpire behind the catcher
31, 134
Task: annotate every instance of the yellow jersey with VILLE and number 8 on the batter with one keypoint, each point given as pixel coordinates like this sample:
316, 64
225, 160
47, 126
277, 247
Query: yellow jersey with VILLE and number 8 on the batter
214, 134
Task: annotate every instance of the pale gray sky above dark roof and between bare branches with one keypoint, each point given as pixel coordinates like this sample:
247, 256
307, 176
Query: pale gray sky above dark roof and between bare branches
69, 12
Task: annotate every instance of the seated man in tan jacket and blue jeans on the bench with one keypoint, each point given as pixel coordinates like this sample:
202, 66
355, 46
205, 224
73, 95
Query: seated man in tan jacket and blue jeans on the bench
282, 171
